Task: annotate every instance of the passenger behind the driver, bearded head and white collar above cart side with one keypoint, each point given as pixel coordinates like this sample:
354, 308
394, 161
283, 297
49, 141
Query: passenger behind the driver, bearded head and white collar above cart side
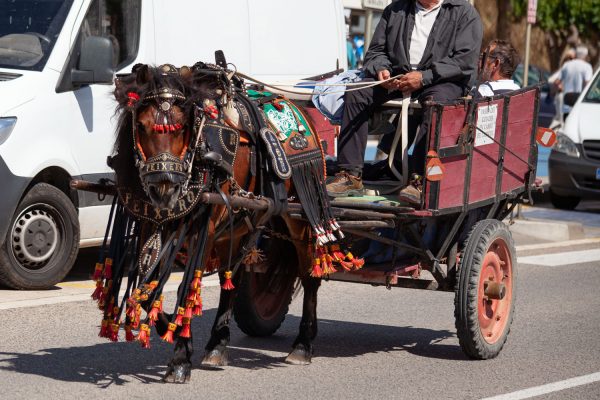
497, 69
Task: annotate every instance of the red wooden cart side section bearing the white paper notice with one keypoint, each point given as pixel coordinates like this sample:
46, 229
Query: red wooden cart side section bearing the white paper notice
485, 151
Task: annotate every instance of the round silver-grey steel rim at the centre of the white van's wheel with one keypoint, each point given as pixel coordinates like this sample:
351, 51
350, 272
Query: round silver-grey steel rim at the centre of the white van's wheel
34, 238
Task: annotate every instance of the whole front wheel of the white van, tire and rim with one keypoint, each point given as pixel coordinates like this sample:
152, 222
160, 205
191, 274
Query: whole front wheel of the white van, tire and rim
42, 243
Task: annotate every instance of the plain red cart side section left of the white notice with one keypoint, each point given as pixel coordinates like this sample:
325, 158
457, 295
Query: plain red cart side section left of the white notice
447, 193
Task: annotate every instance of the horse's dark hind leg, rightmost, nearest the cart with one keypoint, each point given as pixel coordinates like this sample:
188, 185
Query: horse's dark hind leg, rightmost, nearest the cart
302, 347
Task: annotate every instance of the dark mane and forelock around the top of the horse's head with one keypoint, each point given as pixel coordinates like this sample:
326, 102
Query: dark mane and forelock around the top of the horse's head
142, 81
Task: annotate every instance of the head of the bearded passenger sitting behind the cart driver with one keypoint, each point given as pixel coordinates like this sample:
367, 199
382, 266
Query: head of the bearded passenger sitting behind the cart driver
501, 62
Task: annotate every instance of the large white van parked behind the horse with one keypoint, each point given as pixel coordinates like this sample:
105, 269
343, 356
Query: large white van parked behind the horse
57, 62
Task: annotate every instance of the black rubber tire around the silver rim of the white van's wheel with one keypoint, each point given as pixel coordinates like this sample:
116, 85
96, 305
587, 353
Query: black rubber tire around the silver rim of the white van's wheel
16, 276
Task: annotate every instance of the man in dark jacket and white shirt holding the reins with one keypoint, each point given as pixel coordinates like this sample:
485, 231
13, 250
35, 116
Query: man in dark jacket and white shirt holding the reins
435, 45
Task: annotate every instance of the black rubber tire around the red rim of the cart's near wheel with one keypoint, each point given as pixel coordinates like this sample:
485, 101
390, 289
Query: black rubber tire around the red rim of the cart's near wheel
482, 235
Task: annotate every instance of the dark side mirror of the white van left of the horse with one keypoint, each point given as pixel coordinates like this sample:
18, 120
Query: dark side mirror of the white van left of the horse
95, 63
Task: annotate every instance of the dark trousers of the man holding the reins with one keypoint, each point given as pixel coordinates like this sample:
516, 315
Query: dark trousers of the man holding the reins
359, 105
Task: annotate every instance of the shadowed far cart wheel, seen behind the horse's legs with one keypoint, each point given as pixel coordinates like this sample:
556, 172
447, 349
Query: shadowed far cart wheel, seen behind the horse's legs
263, 299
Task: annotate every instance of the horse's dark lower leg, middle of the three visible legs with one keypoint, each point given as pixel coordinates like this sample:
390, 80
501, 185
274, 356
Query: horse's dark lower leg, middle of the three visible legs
216, 347
